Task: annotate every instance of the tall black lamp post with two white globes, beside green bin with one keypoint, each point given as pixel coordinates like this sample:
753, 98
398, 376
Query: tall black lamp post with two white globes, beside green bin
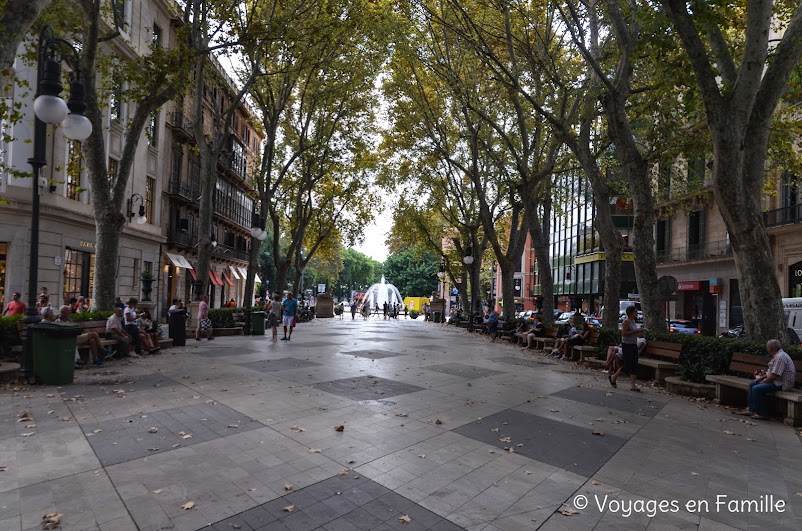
49, 108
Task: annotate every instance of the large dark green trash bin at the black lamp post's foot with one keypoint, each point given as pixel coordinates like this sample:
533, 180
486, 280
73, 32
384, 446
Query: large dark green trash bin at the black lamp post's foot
54, 352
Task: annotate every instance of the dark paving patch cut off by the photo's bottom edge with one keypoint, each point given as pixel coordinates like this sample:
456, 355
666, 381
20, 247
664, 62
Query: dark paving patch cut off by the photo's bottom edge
339, 503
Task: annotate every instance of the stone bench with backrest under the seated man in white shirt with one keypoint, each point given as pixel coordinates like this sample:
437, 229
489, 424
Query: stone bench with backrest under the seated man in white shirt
733, 390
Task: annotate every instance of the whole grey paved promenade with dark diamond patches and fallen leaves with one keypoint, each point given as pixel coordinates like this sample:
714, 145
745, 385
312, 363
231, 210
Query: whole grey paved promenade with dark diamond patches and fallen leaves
379, 425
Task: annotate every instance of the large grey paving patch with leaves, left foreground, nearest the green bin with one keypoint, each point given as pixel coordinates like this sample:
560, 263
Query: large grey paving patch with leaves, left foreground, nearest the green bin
120, 440
